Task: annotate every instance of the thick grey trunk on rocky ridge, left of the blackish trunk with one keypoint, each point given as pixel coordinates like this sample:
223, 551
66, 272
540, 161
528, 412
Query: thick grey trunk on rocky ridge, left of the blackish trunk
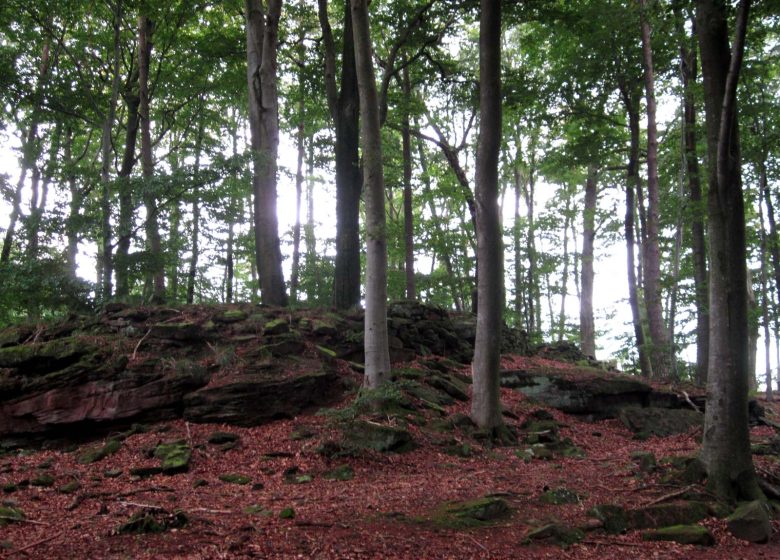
262, 33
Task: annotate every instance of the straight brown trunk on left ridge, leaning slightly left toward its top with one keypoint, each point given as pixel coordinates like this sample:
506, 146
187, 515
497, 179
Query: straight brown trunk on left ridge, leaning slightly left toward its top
156, 270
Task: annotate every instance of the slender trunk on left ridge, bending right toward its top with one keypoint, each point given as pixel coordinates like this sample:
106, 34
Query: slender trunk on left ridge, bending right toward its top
106, 251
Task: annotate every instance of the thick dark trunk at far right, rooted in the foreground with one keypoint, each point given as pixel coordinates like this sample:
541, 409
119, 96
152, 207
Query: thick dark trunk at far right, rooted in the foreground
726, 446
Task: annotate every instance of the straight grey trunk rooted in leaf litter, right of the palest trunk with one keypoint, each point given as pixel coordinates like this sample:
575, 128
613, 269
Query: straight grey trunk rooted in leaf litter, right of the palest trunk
486, 399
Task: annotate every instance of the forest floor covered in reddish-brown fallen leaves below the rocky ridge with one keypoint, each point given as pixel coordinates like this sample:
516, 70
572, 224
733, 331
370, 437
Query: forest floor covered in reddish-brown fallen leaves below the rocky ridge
288, 507
